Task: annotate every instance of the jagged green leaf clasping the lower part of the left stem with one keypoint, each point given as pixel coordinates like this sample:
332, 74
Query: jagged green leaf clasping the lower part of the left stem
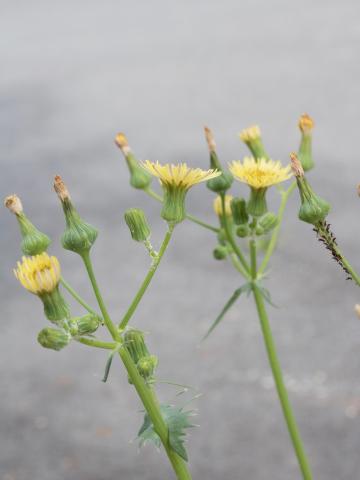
177, 421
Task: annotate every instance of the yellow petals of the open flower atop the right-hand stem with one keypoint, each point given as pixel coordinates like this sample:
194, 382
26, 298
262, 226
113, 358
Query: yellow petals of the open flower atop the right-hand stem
260, 173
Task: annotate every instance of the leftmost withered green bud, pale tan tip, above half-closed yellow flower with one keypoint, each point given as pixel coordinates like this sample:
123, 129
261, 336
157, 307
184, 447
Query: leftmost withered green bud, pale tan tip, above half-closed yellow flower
33, 241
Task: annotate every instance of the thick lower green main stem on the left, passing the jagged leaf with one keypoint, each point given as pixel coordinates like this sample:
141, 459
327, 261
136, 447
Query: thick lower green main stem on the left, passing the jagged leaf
152, 407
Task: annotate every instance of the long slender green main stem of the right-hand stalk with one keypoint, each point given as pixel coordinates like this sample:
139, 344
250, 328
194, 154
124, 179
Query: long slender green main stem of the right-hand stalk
277, 373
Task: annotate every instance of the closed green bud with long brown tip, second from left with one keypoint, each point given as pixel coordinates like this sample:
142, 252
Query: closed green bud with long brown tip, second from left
79, 236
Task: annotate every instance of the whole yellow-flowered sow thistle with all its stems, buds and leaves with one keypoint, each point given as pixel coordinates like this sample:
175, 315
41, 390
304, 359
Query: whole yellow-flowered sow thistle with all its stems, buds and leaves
246, 235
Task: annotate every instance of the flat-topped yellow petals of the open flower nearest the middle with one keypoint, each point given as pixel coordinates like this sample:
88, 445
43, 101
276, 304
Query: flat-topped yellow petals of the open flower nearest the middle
179, 175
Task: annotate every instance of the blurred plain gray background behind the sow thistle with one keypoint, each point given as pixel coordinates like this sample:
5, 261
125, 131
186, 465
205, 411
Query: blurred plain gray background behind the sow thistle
75, 73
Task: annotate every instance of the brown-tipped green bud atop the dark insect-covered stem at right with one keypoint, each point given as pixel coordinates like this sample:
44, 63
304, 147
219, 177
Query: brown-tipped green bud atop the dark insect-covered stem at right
313, 208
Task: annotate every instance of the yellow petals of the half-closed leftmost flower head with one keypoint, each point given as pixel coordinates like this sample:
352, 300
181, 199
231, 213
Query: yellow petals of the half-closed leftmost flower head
38, 274
